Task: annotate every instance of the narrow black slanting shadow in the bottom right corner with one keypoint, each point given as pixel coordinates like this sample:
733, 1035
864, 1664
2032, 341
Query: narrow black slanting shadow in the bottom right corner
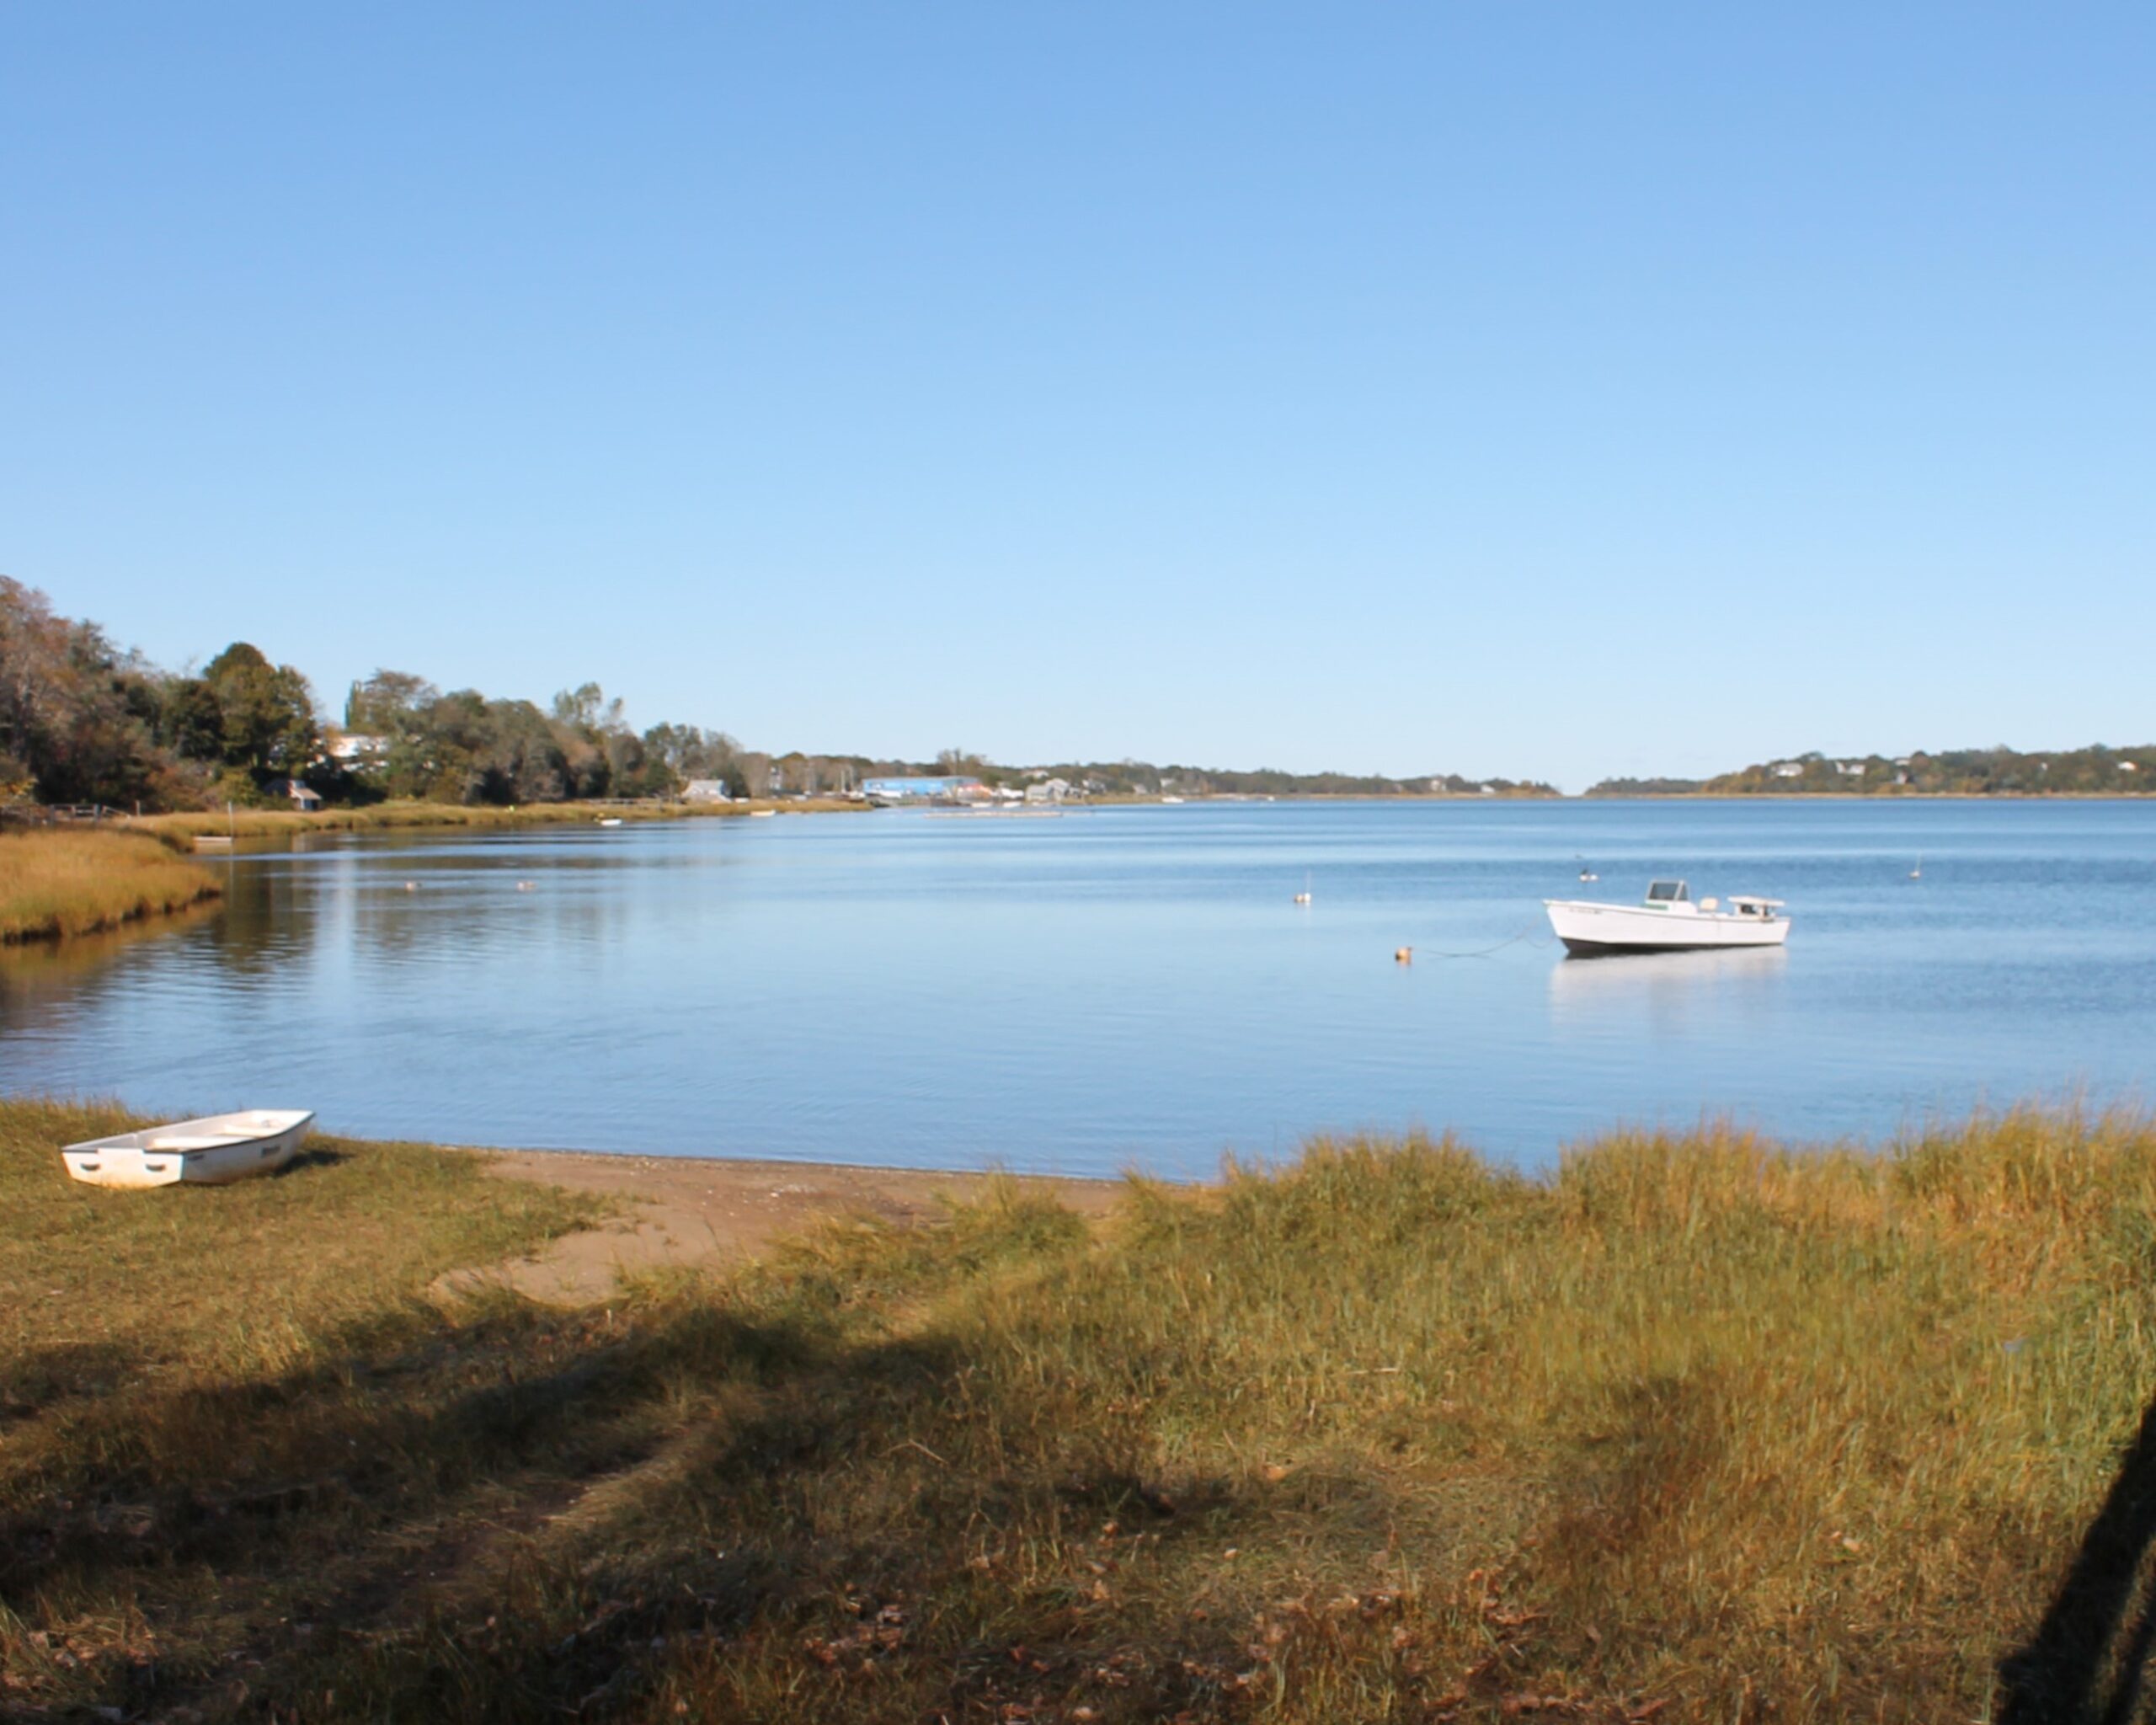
2077, 1668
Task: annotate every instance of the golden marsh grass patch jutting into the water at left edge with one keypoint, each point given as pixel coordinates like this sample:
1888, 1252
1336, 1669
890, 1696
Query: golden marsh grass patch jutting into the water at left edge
61, 881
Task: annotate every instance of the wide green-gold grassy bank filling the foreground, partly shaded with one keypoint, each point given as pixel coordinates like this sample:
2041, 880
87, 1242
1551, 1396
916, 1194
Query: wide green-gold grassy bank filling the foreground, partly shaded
1691, 1431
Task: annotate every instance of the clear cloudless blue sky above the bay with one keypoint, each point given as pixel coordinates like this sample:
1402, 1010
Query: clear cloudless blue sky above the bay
1467, 387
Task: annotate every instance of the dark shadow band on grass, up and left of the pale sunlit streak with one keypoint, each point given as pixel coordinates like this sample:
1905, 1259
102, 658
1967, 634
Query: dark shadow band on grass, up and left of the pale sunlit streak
335, 1493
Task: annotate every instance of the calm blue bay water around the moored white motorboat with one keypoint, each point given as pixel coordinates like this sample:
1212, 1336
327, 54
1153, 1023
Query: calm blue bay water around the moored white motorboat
1129, 986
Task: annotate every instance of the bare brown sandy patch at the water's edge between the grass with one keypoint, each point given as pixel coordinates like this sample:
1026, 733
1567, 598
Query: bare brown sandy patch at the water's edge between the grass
691, 1211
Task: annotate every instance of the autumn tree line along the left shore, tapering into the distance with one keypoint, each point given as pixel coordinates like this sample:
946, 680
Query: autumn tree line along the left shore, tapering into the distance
87, 721
